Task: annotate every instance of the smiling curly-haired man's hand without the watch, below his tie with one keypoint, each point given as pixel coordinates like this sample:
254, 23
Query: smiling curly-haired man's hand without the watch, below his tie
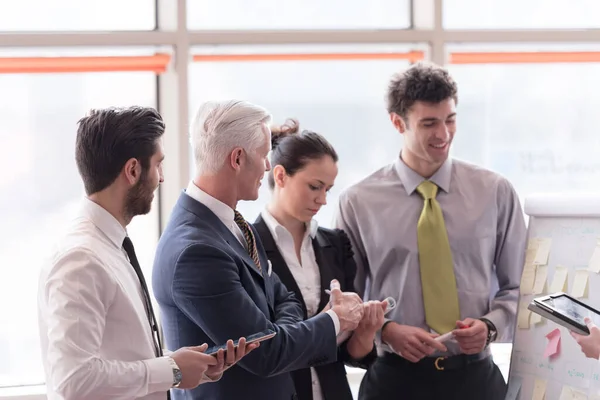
410, 342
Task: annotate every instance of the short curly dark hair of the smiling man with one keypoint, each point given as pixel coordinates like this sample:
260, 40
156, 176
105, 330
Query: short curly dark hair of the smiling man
422, 81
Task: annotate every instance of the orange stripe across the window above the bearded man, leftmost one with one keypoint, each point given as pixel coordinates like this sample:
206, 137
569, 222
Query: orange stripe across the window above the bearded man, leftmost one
34, 65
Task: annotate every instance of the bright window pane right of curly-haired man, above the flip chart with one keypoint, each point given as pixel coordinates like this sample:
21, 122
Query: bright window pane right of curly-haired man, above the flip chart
533, 123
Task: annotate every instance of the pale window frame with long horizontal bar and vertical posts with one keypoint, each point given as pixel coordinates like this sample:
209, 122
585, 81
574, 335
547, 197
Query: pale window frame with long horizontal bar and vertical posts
173, 36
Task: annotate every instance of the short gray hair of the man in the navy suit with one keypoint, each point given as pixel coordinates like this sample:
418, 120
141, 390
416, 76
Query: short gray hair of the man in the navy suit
221, 126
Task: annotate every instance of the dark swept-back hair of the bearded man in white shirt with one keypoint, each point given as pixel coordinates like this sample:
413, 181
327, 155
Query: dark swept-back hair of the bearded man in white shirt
108, 138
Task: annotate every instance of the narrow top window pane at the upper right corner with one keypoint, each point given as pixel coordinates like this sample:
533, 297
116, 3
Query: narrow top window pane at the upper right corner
517, 14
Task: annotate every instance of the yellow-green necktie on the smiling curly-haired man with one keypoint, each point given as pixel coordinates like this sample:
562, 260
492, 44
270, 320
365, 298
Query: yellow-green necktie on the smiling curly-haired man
440, 296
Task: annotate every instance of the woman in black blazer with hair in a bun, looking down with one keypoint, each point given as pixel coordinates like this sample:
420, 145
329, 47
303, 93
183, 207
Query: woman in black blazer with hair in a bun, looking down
307, 257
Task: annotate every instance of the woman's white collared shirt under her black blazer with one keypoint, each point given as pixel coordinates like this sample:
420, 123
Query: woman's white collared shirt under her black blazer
305, 271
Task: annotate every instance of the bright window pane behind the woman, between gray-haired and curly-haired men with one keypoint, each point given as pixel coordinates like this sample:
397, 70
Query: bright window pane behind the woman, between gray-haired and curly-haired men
342, 100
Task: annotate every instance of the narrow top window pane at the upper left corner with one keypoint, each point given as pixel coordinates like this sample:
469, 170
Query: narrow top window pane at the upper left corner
77, 15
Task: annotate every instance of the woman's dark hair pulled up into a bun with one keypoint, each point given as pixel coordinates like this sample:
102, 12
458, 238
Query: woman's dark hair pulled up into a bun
293, 150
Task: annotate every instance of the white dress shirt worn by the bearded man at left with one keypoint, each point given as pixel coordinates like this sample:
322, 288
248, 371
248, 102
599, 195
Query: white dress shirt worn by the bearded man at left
95, 335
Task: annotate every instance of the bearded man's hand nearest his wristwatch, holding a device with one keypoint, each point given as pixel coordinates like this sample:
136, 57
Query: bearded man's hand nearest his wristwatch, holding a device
192, 363
